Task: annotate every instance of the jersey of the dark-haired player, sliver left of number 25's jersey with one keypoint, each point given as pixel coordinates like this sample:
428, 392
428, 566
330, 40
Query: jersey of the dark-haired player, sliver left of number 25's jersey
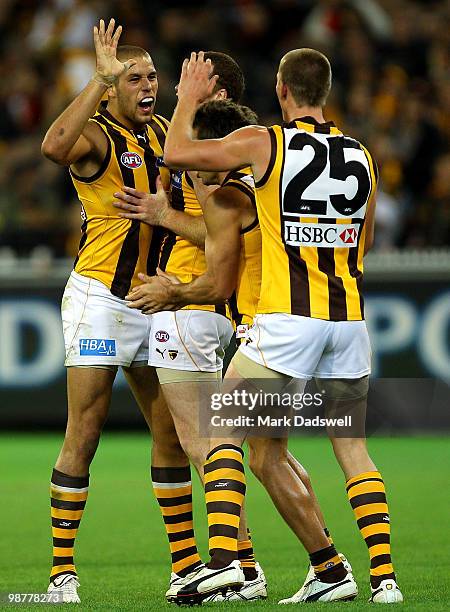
244, 301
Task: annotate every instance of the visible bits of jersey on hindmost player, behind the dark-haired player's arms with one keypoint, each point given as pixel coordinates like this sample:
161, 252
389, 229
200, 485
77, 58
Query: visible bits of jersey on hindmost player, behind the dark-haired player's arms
179, 256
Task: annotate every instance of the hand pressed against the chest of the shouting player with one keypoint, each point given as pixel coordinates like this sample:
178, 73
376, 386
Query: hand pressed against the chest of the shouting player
150, 208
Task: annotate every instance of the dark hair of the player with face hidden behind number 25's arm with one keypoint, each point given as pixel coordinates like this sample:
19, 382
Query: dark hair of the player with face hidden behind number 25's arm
218, 118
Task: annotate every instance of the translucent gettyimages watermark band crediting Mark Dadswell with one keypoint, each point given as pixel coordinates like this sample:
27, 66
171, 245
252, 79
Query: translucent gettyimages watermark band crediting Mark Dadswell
339, 407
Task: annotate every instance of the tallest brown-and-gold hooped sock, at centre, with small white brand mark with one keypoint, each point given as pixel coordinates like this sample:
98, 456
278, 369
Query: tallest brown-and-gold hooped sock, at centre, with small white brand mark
224, 493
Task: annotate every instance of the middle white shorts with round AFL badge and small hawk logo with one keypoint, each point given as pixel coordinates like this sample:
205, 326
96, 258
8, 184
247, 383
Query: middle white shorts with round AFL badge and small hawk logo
190, 340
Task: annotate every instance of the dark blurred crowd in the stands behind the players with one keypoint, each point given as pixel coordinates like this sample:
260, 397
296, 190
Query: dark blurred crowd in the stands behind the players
391, 63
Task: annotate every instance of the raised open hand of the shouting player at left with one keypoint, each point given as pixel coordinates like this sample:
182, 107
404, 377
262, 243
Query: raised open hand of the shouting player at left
109, 68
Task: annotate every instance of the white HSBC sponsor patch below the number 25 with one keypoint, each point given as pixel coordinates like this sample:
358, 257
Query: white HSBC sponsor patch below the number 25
321, 234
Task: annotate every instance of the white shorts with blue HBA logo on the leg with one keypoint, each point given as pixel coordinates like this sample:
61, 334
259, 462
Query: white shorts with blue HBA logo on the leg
98, 327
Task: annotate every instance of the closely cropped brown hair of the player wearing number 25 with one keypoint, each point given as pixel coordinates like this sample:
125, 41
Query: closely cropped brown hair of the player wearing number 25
307, 74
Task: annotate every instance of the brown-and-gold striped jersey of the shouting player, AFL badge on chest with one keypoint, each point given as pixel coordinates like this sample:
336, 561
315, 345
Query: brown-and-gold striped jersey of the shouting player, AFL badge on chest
114, 250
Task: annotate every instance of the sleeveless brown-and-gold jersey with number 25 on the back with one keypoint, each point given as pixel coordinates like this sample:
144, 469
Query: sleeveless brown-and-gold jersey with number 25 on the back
312, 203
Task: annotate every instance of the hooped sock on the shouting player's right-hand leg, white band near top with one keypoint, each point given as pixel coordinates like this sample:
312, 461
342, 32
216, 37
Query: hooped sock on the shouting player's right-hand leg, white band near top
173, 490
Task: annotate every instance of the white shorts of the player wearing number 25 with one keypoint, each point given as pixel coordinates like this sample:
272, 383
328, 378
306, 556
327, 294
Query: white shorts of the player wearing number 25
304, 347
